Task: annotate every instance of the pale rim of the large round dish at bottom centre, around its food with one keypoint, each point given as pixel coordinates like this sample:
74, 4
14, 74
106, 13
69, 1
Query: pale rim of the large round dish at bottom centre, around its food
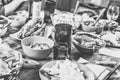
86, 71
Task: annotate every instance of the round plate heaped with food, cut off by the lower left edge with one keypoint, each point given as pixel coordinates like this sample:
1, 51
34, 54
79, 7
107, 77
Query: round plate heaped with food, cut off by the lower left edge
9, 66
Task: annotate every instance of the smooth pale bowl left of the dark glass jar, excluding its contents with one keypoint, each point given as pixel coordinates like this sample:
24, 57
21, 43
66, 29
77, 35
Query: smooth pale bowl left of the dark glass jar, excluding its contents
36, 53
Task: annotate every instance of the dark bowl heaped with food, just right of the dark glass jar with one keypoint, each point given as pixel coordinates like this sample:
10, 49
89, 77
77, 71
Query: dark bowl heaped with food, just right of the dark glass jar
88, 48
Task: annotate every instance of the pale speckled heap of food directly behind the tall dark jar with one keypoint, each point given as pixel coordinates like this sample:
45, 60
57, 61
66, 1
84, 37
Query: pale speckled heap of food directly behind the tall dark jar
68, 18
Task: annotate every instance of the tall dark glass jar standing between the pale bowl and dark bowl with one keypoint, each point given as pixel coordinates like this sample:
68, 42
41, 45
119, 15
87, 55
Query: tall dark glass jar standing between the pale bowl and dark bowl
62, 37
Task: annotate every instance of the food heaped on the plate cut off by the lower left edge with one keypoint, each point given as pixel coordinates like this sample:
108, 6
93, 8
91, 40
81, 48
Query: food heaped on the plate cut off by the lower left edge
12, 58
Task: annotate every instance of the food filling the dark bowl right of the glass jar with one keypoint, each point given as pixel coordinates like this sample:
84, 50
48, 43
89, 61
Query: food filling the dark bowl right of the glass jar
88, 41
